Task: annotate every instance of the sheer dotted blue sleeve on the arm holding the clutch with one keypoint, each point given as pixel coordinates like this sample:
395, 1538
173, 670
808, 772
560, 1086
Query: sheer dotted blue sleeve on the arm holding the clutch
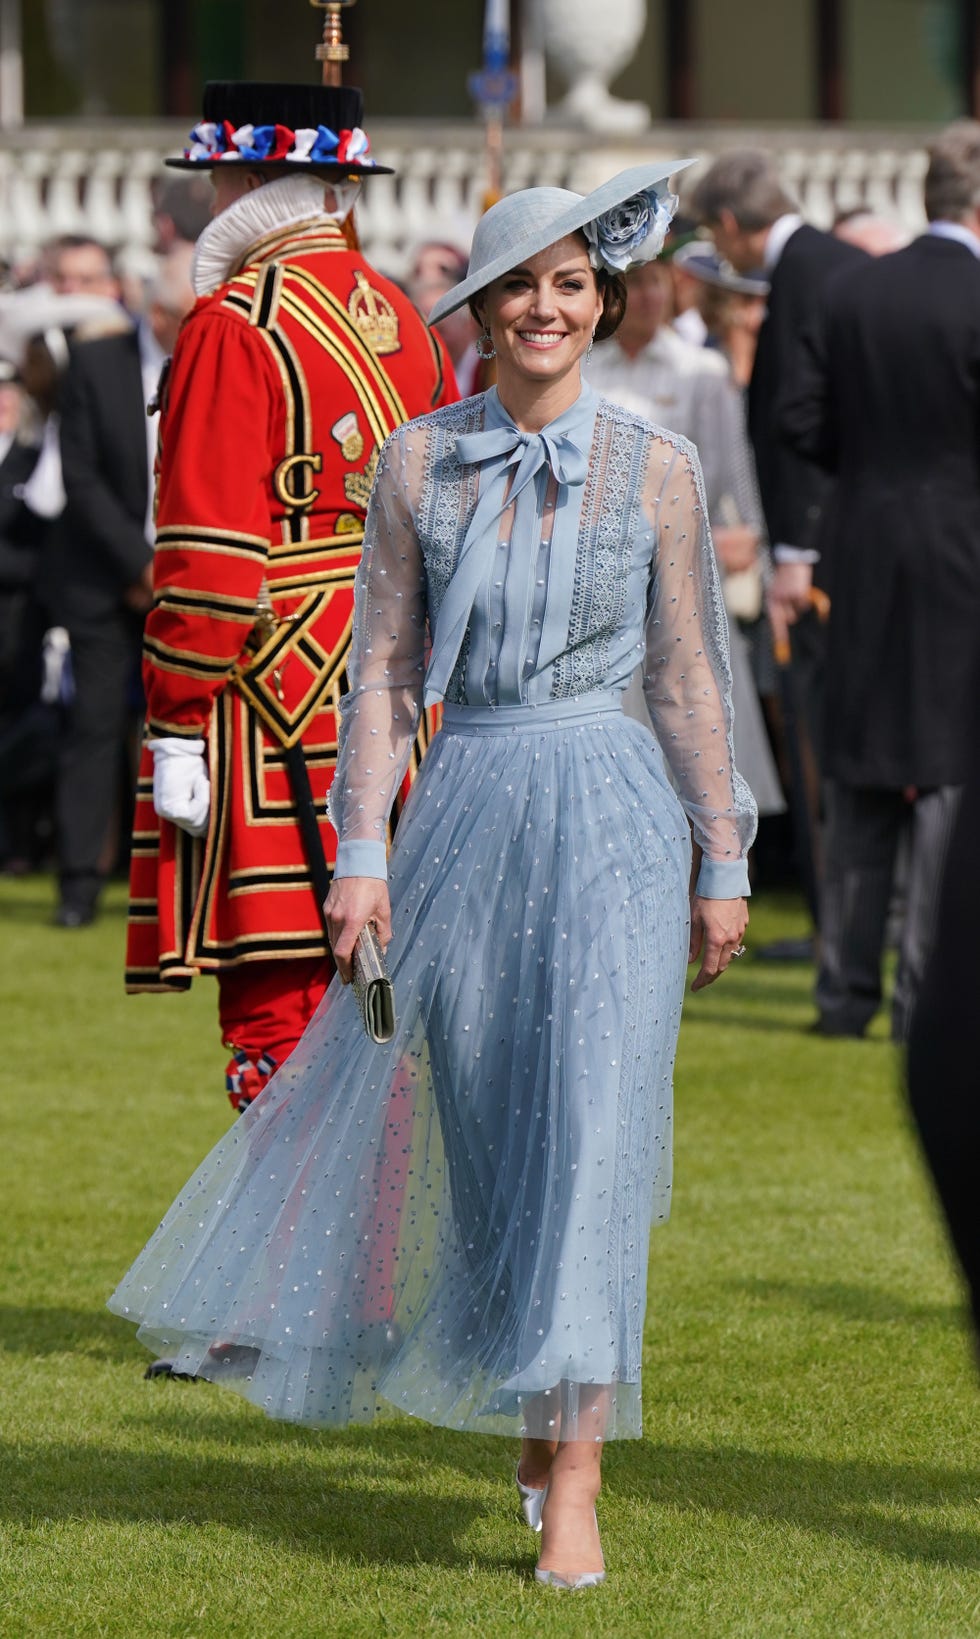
381, 712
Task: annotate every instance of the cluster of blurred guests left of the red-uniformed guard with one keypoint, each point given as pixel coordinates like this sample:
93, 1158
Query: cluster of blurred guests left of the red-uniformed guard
83, 343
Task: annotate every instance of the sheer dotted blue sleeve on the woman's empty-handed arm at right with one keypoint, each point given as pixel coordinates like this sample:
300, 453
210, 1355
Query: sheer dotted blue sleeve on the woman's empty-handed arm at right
687, 679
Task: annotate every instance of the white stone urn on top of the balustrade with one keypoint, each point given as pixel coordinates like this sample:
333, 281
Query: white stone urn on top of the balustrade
589, 43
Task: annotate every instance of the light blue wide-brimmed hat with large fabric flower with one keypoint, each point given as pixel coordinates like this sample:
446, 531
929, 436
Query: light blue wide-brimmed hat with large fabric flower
624, 220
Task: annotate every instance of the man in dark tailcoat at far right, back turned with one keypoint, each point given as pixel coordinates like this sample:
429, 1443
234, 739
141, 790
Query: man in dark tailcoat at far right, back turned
889, 402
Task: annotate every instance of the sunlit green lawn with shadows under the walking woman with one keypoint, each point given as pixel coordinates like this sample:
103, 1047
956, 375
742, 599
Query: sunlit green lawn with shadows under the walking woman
810, 1456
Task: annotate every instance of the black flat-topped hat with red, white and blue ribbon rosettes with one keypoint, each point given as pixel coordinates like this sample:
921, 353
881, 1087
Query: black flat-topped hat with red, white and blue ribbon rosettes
268, 124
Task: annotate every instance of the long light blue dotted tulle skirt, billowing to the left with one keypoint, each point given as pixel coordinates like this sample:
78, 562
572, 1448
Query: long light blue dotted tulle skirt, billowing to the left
456, 1224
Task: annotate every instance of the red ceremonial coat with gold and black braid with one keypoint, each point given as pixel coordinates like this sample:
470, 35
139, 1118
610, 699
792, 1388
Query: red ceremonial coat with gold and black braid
284, 386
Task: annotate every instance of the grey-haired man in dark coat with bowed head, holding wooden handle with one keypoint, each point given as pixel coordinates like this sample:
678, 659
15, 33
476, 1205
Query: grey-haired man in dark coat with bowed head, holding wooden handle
756, 225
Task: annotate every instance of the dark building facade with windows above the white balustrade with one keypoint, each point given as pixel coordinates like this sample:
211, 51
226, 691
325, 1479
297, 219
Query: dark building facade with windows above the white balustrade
878, 61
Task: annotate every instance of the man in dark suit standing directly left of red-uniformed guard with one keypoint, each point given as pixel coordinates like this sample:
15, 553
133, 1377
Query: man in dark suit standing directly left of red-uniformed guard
99, 571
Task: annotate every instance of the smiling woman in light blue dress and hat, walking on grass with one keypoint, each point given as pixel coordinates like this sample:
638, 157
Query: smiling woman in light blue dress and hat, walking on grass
456, 1224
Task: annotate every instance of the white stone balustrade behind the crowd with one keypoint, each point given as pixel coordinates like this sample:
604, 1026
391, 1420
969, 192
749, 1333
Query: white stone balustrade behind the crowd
98, 179
